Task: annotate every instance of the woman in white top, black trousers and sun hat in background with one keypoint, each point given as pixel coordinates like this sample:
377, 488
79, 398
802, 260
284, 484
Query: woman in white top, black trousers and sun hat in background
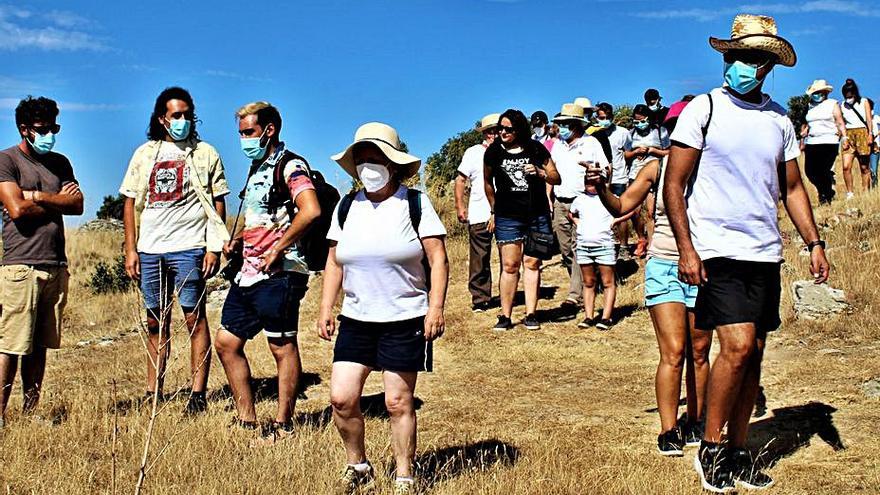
823, 132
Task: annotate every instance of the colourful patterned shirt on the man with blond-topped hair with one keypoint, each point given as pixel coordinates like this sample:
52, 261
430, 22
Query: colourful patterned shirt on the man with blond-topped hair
264, 224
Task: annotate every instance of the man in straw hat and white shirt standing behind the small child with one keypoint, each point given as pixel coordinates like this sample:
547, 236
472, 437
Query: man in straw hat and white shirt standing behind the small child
572, 155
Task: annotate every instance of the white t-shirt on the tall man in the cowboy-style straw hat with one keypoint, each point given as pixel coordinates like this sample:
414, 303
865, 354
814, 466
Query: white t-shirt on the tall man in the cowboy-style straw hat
733, 204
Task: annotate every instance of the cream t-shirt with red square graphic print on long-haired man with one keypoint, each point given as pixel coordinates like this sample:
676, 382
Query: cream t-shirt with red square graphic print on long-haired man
173, 218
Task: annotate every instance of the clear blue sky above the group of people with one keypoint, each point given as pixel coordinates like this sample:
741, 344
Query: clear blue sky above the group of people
429, 68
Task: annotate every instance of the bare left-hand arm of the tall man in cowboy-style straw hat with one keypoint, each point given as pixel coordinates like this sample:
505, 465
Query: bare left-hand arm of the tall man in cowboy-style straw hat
682, 161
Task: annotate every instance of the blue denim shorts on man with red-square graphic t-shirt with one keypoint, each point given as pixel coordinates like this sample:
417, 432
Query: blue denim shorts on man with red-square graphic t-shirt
178, 273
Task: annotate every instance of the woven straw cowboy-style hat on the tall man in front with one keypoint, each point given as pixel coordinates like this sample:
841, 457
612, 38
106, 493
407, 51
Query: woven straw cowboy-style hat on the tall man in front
756, 32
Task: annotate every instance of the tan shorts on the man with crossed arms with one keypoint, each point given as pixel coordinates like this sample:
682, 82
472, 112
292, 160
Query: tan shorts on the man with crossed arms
32, 300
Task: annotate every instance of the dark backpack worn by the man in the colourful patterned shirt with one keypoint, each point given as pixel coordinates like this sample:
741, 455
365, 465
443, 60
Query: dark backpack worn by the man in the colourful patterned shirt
313, 244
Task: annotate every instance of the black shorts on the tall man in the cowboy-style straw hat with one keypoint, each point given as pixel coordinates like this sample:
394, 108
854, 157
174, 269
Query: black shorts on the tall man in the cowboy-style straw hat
739, 292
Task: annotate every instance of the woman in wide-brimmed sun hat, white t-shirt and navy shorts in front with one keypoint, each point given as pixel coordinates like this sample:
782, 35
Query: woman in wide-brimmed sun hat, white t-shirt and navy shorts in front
388, 256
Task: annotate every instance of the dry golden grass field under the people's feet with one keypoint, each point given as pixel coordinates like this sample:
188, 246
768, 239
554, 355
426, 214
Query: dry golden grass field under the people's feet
560, 410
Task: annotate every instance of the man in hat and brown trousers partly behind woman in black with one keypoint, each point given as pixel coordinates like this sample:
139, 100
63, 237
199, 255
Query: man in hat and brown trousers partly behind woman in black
475, 212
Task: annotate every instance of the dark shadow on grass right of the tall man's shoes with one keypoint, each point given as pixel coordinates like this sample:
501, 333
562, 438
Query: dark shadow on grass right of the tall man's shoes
791, 428
